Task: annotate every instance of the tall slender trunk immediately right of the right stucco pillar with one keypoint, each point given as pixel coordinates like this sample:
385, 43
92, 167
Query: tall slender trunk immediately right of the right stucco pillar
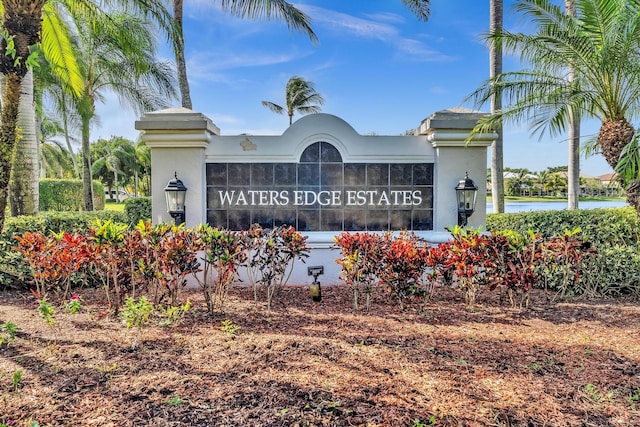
497, 152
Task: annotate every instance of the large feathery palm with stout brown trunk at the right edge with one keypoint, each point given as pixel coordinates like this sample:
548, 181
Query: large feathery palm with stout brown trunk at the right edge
600, 45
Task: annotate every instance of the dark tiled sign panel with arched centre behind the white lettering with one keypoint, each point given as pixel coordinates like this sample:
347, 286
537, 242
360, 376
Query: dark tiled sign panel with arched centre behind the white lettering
321, 193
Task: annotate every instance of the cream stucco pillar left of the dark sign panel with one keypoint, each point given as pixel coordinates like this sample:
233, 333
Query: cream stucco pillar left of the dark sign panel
178, 138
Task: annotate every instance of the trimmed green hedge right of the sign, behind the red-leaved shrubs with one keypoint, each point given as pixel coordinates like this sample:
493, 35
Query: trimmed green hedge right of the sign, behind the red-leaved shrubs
602, 227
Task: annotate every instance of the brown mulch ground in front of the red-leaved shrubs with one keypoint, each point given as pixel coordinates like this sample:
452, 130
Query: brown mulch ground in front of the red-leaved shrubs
575, 363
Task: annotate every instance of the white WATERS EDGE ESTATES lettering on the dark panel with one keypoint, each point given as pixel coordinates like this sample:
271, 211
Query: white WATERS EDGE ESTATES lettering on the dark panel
322, 198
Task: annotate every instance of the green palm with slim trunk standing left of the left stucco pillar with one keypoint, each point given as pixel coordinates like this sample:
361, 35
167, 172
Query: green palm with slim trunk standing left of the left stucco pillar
118, 55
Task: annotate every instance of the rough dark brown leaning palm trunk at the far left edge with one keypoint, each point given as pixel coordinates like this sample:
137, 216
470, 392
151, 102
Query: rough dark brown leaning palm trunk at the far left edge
8, 124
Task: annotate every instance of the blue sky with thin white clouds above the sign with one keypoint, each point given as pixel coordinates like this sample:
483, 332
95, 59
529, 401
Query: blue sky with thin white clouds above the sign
376, 65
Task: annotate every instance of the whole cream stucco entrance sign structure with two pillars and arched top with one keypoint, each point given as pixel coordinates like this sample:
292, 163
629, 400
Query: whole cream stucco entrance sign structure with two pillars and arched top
320, 175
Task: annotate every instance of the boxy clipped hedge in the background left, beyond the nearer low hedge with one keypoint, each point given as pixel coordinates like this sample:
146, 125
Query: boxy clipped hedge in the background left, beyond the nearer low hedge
66, 195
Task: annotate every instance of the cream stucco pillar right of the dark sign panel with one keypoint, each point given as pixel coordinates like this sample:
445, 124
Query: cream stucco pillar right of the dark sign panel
448, 130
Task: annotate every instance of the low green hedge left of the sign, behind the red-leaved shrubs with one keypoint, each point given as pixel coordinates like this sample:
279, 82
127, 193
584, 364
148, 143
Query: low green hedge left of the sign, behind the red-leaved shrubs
13, 270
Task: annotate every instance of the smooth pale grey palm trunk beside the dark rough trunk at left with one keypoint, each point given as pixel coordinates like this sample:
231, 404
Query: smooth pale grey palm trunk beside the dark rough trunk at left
24, 186
